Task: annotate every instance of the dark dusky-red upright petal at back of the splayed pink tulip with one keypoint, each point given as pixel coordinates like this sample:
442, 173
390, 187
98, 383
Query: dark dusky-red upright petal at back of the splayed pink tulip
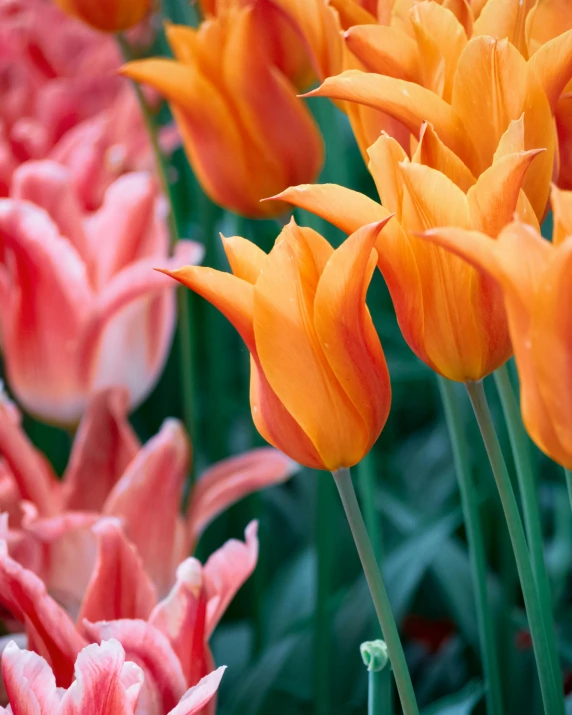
104, 445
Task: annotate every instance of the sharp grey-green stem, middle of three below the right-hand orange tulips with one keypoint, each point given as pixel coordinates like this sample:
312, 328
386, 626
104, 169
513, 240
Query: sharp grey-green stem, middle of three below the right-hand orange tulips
551, 694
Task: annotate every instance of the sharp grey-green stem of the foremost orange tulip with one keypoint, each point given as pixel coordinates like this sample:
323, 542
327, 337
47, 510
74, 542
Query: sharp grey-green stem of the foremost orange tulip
381, 603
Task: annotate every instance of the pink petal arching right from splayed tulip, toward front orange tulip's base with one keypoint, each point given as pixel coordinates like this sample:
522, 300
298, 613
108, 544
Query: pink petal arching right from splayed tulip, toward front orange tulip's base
232, 479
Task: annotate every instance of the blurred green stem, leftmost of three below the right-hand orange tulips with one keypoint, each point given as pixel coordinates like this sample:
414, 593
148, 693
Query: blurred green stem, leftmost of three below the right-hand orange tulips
477, 559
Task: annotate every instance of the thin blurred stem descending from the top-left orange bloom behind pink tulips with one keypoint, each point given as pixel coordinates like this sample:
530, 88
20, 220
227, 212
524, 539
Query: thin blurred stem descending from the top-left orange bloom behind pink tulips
187, 352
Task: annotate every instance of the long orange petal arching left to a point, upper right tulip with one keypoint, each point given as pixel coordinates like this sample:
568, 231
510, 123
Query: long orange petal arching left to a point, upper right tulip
406, 101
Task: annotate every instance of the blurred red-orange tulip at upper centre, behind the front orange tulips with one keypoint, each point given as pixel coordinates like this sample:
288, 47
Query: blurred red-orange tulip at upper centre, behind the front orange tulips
243, 128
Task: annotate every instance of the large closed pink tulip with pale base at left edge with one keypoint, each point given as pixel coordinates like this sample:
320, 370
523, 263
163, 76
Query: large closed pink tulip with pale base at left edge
82, 307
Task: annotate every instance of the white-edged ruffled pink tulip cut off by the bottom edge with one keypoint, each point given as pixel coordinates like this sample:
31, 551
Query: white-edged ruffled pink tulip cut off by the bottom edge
105, 684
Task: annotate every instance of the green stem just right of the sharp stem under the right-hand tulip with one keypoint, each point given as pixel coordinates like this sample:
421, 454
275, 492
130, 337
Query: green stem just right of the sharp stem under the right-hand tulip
529, 496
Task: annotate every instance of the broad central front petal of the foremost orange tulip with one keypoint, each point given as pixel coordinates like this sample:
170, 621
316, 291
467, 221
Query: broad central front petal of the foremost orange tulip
290, 353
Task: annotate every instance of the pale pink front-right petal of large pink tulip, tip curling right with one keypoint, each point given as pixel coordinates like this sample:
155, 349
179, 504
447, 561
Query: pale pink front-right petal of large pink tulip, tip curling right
128, 335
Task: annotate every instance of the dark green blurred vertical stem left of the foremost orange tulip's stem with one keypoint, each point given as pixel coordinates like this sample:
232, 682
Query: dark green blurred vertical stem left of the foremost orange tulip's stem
324, 561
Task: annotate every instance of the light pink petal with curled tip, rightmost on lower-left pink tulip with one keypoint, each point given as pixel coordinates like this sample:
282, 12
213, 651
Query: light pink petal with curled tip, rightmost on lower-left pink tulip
225, 572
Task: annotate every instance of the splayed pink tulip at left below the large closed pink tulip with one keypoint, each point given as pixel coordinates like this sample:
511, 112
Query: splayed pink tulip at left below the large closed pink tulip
110, 473
